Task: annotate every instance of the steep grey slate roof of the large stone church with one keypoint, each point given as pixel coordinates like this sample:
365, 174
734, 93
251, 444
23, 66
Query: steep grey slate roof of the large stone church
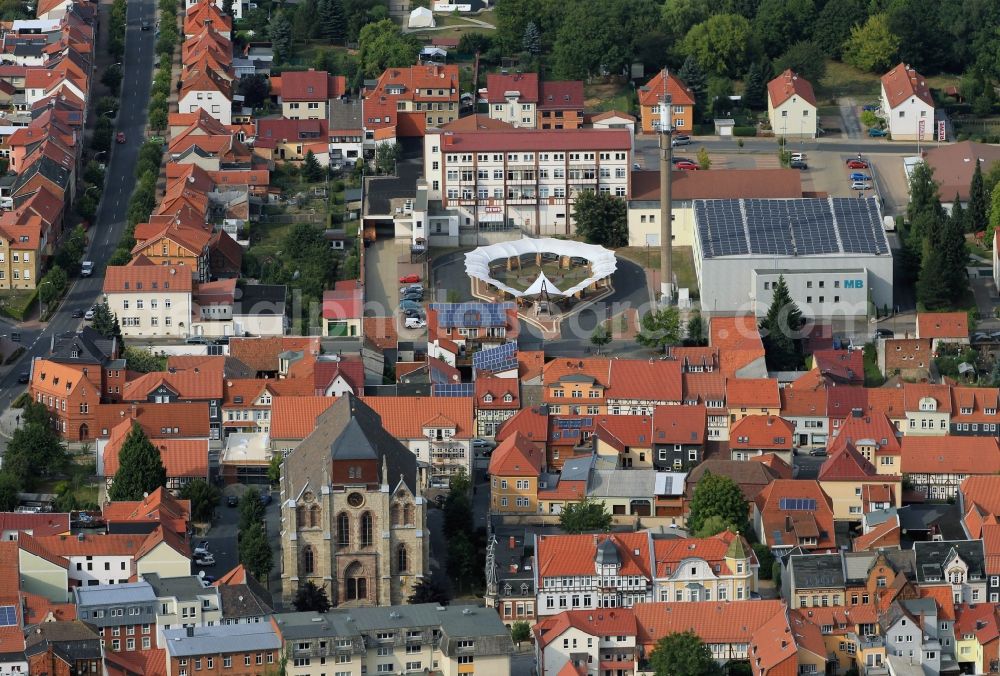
349, 430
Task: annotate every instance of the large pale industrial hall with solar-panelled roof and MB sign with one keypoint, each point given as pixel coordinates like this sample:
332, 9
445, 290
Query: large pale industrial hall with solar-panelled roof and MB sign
832, 252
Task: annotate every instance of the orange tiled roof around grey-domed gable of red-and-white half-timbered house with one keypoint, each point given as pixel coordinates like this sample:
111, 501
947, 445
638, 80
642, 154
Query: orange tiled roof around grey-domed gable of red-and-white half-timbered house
575, 554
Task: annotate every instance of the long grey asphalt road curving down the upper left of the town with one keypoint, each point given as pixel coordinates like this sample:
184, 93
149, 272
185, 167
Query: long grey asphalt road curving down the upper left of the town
111, 213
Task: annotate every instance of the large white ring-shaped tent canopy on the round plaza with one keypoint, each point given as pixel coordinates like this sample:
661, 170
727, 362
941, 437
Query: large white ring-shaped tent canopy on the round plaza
602, 262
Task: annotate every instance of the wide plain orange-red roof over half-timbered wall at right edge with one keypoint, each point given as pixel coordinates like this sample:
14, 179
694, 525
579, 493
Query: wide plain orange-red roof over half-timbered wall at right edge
950, 455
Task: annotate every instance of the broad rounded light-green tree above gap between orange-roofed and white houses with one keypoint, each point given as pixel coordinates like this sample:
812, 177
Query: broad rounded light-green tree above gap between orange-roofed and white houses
723, 44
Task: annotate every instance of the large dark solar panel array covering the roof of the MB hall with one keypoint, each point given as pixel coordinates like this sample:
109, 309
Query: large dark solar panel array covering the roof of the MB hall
790, 227
